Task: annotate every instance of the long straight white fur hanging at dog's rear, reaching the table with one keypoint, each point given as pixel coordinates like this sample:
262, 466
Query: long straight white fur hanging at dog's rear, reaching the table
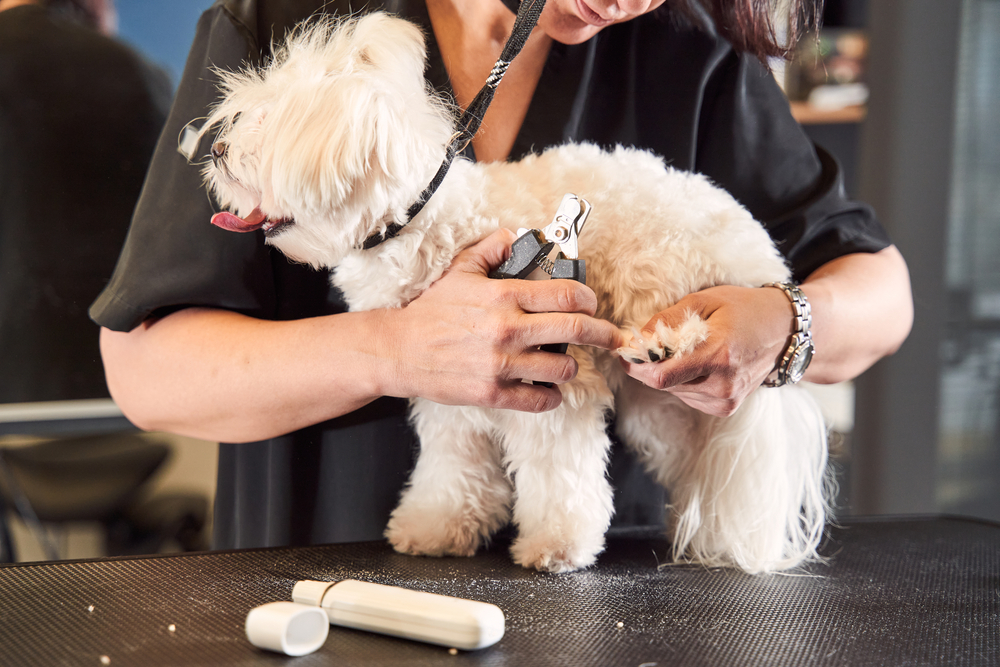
757, 492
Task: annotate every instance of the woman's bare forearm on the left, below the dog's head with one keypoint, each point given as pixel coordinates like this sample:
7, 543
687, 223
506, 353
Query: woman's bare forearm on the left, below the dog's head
221, 376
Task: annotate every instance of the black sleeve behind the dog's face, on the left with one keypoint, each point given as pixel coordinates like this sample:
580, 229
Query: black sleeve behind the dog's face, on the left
173, 257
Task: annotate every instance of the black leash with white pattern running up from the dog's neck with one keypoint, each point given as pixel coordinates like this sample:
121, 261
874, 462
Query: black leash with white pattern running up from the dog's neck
527, 17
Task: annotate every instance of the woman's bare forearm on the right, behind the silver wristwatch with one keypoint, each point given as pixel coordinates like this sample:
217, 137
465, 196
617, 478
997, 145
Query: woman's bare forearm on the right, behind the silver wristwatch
862, 311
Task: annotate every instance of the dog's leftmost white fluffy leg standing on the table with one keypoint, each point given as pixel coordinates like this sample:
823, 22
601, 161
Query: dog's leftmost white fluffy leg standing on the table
458, 494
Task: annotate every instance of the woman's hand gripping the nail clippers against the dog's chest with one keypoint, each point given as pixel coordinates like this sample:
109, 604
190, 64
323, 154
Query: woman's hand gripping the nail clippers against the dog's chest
470, 340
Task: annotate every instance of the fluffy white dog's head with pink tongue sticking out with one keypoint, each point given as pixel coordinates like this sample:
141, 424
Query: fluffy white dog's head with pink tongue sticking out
331, 140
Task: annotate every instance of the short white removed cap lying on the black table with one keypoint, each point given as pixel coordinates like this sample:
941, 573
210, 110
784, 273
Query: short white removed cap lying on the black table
287, 627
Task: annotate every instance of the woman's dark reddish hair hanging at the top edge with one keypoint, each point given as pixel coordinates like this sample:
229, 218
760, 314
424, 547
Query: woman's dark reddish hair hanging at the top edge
748, 24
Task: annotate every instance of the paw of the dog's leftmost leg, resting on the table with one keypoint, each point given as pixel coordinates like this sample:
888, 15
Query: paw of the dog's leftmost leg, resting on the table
427, 534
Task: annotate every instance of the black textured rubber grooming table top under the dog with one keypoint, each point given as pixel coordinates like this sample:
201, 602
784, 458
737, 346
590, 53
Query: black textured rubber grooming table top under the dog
894, 592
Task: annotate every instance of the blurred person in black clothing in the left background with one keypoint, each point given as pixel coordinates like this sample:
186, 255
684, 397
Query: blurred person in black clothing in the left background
80, 113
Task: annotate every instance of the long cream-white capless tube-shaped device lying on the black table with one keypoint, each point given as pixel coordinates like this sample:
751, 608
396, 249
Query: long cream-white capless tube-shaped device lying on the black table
401, 612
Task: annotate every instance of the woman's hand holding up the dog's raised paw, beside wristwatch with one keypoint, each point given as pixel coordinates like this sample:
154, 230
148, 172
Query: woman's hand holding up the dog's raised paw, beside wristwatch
749, 329
